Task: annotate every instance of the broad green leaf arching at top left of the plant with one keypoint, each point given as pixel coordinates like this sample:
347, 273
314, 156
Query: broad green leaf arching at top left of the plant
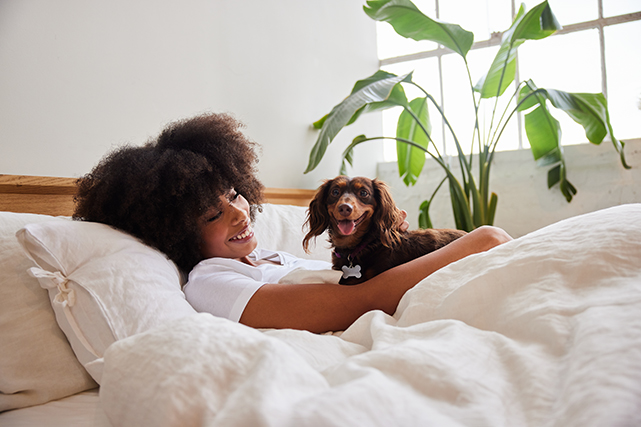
410, 22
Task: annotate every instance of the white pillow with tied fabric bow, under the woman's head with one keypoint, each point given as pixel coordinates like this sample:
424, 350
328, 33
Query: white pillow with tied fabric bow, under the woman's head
104, 284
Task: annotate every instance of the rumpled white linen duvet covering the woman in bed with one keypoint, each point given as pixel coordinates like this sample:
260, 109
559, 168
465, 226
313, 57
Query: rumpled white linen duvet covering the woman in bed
542, 331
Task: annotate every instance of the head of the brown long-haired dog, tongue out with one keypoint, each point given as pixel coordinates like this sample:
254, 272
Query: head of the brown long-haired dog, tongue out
352, 208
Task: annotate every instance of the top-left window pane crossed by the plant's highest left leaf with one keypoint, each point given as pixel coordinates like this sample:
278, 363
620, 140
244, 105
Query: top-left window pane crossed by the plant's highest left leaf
390, 44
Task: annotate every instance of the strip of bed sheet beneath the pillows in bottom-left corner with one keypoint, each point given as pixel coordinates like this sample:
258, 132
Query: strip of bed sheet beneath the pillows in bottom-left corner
80, 410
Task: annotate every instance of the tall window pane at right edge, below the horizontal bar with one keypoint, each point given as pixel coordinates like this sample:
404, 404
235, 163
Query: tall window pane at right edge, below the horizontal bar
623, 63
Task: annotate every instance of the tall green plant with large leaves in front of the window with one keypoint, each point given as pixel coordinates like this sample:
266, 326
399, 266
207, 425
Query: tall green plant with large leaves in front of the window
473, 204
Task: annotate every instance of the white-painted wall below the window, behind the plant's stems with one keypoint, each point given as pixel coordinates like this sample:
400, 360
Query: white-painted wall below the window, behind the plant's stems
525, 203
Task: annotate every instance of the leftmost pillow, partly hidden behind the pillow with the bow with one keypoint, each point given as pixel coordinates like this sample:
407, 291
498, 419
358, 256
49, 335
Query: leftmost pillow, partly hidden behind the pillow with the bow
37, 363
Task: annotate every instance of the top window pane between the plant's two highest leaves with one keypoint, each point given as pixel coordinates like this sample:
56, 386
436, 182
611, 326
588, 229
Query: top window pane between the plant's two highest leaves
482, 17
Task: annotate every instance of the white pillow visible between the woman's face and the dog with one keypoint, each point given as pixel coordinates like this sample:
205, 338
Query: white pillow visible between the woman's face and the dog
280, 227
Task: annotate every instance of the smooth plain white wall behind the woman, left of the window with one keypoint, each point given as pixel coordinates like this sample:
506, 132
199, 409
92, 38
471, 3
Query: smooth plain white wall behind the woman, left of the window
78, 78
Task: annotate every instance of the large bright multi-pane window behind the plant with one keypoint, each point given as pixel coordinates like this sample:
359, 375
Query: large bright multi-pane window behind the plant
596, 51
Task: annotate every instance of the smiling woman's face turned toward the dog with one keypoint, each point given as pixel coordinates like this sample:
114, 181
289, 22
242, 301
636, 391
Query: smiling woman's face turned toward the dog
226, 231
